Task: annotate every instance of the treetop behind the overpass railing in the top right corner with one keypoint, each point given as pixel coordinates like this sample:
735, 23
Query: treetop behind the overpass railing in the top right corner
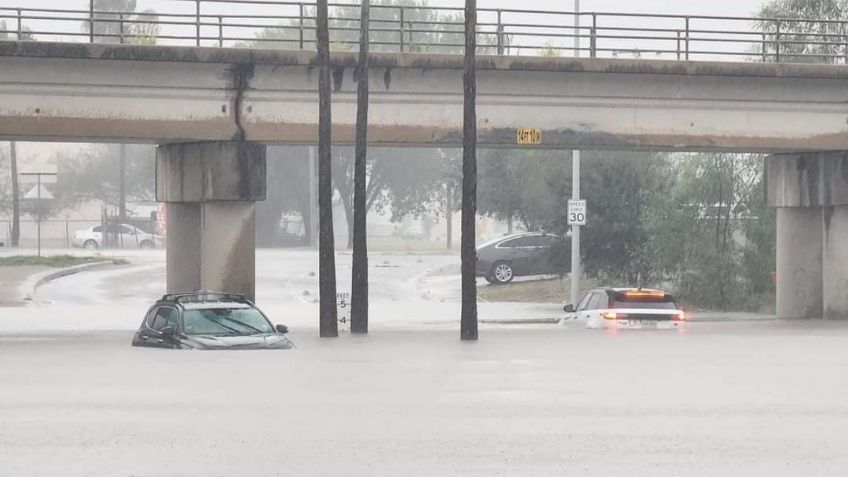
802, 39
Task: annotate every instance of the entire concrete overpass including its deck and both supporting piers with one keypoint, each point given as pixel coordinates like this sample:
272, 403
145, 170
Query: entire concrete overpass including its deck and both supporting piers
210, 109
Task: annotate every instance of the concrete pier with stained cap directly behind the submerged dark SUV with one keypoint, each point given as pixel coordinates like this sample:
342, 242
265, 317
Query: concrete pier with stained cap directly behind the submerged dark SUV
210, 189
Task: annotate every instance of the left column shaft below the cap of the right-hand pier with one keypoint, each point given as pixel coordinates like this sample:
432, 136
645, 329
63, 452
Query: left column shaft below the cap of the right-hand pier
799, 263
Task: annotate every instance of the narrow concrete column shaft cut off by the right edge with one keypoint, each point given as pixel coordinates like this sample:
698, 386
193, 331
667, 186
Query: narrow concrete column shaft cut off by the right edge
835, 262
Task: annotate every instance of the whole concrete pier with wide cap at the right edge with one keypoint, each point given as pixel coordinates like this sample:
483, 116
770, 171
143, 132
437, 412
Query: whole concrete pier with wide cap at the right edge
810, 192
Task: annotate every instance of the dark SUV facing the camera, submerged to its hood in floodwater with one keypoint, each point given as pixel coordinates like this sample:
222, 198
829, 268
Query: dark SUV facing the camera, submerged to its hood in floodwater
209, 320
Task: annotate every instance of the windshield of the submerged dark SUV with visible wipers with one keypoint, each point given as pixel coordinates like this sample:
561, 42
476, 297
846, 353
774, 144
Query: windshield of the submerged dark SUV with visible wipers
225, 321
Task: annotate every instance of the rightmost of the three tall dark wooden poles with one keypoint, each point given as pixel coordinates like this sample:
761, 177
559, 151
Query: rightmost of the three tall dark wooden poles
468, 330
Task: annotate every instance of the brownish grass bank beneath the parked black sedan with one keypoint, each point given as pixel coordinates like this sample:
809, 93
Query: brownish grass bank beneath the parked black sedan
549, 290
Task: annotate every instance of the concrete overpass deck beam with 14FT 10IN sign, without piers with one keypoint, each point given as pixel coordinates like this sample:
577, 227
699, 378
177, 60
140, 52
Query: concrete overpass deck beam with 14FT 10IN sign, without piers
95, 92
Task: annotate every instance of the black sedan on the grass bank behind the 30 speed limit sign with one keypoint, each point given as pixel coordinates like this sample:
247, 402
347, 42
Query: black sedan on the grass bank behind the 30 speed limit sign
532, 253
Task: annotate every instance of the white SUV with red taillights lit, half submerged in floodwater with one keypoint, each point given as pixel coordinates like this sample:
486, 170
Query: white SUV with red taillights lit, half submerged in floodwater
626, 308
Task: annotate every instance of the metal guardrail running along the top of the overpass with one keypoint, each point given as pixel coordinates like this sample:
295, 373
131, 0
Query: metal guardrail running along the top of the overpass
291, 25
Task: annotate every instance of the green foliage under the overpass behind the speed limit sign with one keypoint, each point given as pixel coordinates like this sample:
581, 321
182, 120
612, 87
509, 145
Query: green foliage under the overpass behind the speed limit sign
696, 224
